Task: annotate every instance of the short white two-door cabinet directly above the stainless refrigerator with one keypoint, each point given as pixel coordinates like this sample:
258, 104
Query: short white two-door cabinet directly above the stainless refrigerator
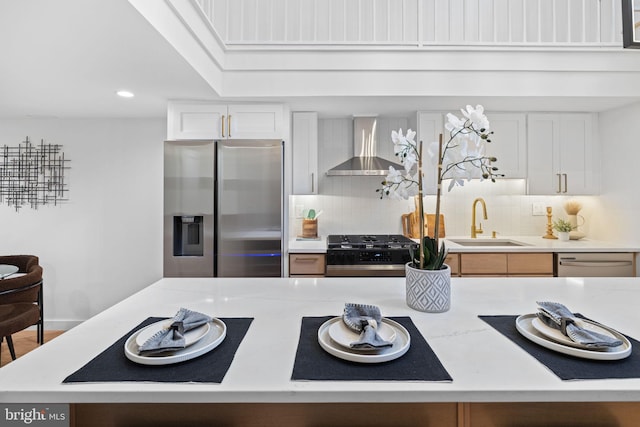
219, 121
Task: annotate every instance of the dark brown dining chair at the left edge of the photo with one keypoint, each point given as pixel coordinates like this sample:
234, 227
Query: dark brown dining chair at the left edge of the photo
24, 288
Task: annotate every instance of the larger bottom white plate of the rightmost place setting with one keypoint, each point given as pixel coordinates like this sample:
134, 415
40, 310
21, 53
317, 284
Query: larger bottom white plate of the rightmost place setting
525, 327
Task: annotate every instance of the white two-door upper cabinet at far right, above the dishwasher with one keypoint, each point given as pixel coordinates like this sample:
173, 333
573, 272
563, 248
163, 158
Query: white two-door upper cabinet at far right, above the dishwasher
562, 154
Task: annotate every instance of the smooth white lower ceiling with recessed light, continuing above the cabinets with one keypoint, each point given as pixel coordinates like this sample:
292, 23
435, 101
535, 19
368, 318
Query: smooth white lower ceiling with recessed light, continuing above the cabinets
66, 58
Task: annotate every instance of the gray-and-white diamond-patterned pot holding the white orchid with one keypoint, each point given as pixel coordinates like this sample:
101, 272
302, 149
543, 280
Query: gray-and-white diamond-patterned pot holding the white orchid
429, 290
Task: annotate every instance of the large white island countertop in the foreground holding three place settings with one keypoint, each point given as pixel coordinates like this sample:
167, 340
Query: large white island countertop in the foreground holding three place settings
484, 365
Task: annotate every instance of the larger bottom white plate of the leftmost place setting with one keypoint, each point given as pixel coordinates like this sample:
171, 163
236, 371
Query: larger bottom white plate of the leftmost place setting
213, 338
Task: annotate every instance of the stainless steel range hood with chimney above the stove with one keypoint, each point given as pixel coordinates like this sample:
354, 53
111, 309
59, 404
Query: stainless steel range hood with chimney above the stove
364, 160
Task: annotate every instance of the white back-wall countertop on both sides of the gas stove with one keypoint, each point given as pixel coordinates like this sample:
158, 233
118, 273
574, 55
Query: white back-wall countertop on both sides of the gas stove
532, 244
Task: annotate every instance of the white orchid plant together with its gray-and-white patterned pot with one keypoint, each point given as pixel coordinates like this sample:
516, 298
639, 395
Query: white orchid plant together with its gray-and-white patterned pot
428, 278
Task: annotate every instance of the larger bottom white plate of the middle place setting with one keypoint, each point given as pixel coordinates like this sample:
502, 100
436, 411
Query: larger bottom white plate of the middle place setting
400, 345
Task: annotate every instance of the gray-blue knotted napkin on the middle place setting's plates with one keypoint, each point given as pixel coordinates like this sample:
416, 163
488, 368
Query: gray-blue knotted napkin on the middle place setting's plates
364, 319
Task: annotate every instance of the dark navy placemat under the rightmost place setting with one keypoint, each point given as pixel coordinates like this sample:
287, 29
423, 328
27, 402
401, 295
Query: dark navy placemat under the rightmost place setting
565, 366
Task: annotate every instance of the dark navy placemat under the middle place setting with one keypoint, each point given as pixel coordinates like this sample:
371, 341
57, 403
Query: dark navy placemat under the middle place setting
419, 363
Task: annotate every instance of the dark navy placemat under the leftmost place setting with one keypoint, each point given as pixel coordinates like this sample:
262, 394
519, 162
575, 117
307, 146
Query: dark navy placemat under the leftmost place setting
112, 364
